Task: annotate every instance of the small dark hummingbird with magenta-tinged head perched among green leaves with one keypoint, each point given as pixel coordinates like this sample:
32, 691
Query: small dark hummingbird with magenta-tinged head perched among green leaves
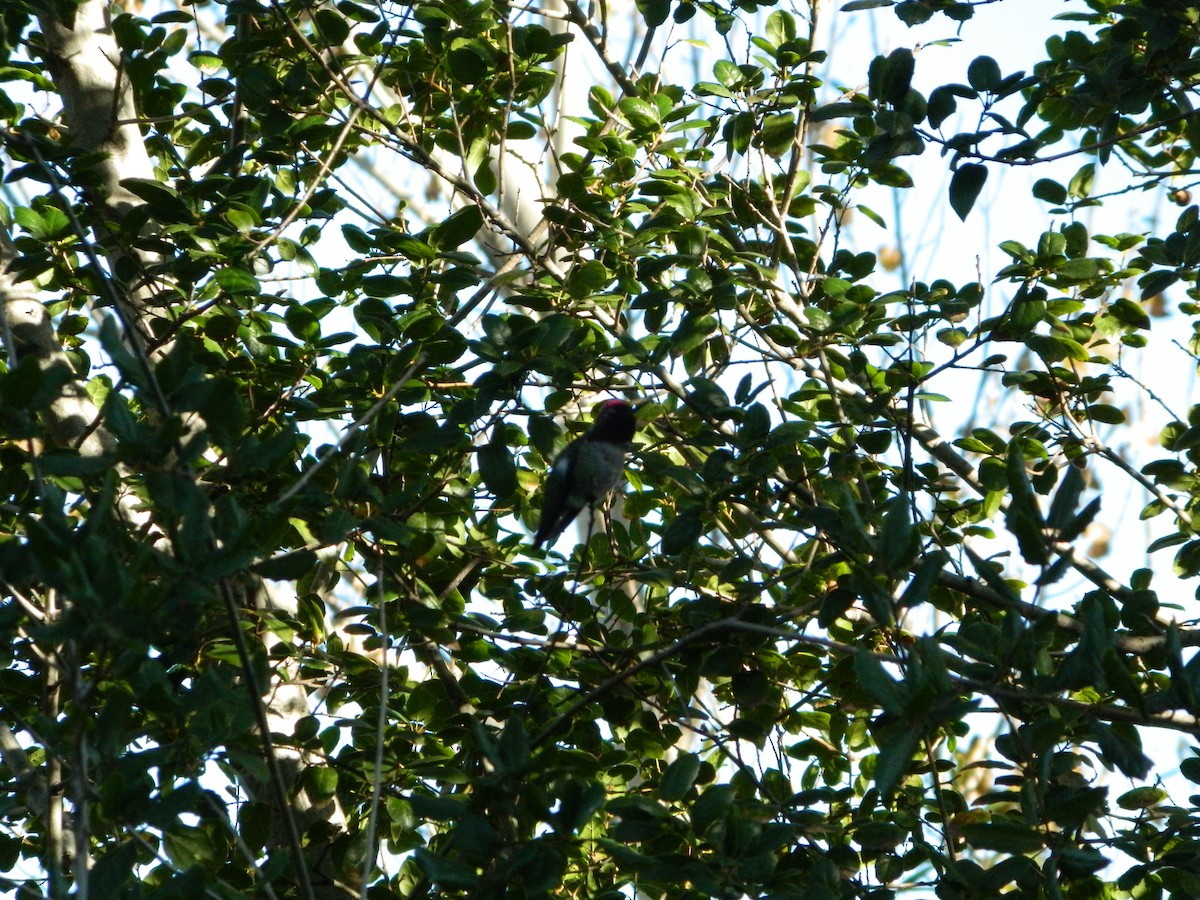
589, 470
